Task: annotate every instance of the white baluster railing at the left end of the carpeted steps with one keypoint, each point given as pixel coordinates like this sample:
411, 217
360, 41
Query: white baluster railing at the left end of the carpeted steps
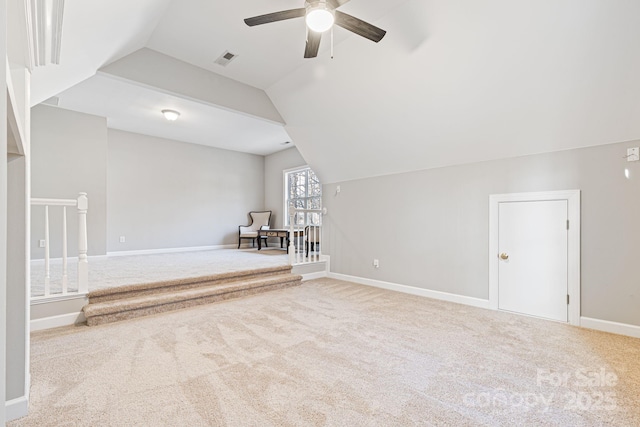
82, 205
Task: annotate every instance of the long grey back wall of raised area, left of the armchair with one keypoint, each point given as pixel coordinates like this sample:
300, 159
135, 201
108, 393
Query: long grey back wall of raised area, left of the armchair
169, 194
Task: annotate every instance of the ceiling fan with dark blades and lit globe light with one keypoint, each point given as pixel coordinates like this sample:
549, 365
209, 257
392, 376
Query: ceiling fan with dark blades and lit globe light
320, 15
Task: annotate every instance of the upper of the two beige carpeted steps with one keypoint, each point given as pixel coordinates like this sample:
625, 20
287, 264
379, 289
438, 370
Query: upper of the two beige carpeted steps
120, 292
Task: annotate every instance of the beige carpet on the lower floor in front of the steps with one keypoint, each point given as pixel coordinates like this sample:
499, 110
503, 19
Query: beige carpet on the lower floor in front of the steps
337, 354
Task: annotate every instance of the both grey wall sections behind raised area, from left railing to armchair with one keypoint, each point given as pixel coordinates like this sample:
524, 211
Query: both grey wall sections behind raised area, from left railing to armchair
157, 193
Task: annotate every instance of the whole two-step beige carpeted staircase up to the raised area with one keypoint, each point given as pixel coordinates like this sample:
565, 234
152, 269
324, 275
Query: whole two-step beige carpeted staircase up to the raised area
126, 302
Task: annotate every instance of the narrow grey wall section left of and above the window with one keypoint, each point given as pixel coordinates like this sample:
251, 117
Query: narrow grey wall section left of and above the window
274, 165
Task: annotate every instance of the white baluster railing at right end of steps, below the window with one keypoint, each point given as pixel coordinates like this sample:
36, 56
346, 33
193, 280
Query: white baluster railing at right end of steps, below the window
305, 235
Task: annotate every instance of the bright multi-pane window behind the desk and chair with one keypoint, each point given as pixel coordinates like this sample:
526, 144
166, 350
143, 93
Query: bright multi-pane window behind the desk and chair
304, 191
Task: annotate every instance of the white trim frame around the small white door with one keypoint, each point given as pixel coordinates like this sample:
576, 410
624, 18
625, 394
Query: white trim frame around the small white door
573, 243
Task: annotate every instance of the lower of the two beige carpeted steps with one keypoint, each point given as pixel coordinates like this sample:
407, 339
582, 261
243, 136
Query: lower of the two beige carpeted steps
168, 300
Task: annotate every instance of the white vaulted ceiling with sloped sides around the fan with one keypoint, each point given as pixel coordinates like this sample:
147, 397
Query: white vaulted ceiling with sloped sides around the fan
452, 82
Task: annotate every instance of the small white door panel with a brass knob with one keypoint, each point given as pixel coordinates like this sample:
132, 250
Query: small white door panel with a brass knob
533, 263
